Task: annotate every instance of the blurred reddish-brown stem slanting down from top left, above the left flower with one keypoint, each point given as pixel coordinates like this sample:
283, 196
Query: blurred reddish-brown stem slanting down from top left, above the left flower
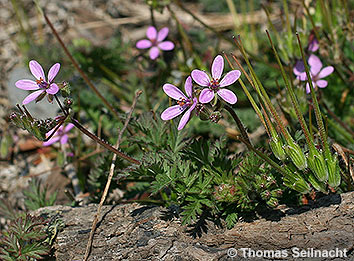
76, 65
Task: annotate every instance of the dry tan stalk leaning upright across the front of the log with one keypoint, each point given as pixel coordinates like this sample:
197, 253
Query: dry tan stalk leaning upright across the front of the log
110, 176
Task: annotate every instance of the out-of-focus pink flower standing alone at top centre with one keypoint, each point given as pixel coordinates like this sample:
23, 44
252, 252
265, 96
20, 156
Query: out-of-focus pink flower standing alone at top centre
155, 42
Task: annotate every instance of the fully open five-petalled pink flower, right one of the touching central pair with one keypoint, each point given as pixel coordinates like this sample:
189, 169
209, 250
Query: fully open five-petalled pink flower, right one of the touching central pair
215, 84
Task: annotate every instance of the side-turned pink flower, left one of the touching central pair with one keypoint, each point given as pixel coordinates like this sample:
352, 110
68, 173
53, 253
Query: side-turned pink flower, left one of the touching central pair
183, 102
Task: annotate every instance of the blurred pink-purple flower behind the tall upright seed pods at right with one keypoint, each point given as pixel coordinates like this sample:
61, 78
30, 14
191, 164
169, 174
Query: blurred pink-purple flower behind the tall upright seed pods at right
316, 72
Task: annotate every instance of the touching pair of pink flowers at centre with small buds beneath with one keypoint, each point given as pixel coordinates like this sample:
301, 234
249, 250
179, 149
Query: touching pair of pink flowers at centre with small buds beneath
213, 88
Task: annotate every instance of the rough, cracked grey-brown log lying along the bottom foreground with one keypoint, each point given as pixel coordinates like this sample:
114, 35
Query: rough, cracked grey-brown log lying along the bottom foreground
135, 232
